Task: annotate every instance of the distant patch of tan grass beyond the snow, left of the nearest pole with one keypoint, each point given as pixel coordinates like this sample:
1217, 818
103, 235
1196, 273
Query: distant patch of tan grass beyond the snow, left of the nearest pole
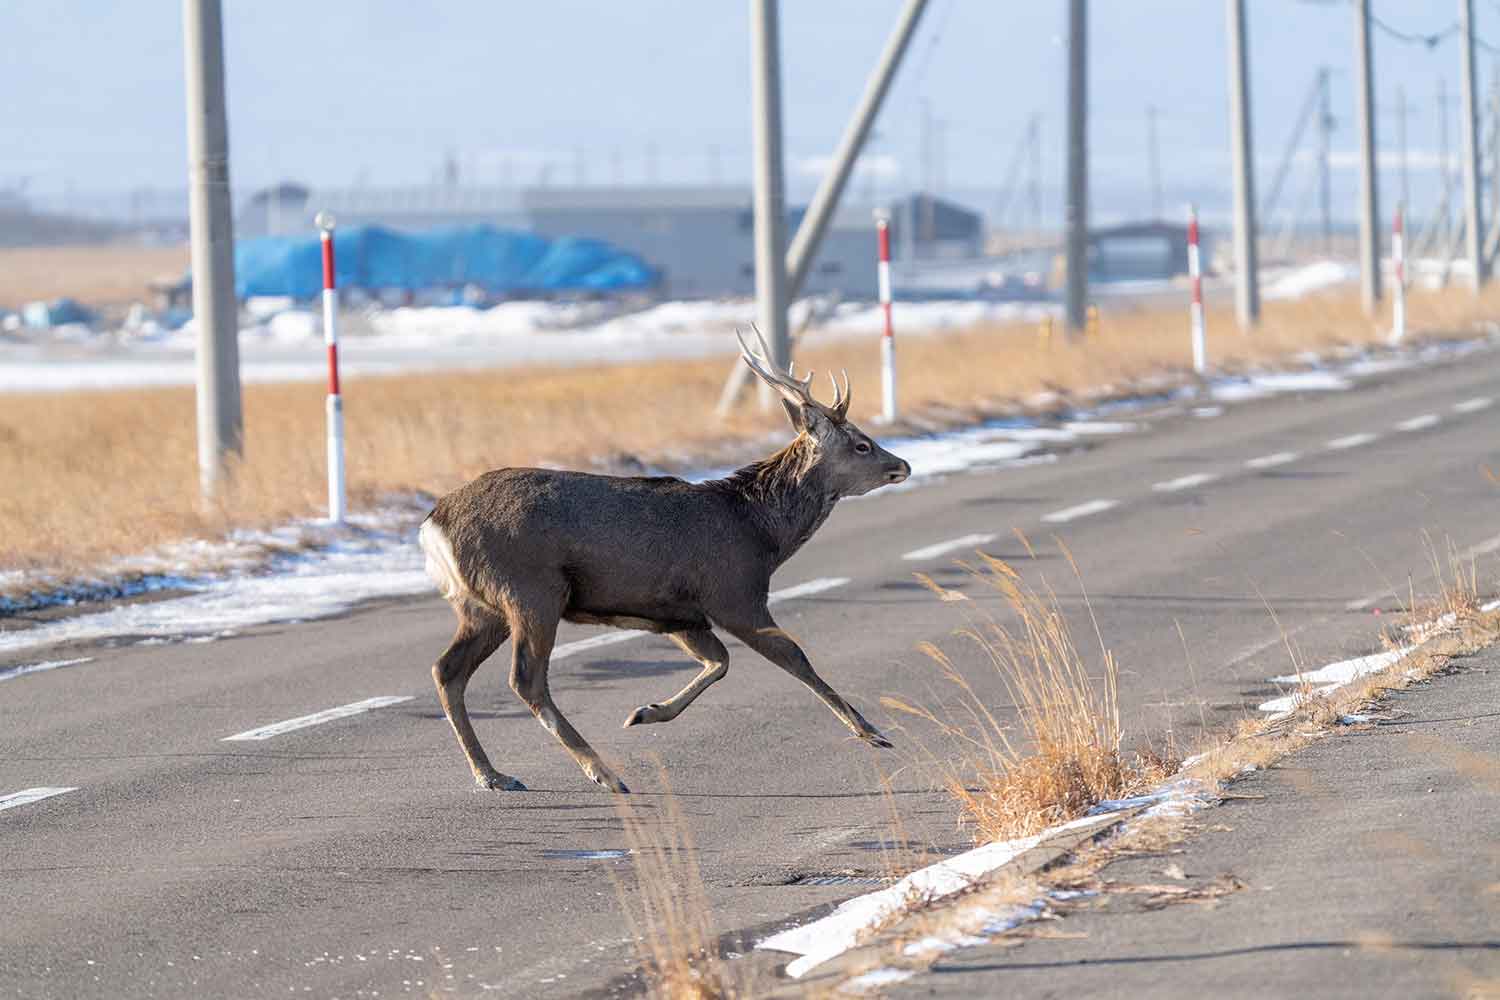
94, 275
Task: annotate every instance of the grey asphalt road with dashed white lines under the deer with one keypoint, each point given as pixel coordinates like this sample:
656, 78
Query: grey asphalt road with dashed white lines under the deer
355, 857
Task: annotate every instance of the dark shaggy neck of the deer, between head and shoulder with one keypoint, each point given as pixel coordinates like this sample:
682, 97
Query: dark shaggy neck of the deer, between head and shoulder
788, 496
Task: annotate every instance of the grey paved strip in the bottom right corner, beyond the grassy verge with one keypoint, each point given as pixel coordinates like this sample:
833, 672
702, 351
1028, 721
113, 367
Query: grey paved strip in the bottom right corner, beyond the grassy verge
1364, 864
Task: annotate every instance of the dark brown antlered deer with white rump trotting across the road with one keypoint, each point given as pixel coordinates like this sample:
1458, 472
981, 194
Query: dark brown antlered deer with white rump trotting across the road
517, 551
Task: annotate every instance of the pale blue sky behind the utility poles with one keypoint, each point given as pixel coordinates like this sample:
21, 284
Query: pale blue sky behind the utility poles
380, 91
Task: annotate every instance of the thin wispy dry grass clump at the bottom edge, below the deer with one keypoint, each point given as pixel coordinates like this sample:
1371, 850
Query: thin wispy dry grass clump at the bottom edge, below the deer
667, 908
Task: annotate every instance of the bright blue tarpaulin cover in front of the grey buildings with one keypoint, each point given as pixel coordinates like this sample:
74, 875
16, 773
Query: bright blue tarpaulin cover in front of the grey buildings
500, 262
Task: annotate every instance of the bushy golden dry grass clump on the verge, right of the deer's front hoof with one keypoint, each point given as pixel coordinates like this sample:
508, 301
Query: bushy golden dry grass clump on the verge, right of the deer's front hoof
1063, 752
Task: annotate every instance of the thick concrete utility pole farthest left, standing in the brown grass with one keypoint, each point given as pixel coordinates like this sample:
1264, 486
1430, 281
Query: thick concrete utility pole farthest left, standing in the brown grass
221, 431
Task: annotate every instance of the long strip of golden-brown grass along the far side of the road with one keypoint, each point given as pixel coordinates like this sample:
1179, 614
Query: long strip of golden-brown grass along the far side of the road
91, 476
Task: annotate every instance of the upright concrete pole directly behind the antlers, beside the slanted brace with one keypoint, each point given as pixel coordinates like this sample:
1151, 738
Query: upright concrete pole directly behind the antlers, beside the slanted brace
770, 200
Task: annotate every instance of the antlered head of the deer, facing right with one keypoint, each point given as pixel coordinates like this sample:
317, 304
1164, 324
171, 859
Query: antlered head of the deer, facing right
848, 458
